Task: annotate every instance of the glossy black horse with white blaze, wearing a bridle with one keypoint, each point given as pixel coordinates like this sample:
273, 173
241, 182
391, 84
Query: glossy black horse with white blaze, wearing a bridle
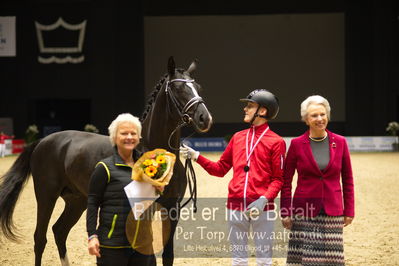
61, 163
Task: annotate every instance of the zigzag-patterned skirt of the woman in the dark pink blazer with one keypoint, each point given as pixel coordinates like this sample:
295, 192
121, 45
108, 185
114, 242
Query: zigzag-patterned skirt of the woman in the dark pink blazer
316, 241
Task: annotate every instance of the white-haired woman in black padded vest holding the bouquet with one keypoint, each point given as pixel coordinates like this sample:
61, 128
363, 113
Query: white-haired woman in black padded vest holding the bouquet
107, 240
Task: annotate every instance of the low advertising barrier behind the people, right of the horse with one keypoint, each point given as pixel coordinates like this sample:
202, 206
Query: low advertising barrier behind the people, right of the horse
356, 144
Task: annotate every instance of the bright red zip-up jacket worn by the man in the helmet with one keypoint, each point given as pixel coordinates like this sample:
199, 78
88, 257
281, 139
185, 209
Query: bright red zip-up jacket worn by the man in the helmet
265, 175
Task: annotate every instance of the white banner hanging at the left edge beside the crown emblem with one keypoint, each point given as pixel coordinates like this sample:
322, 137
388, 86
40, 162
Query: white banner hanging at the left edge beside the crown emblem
7, 36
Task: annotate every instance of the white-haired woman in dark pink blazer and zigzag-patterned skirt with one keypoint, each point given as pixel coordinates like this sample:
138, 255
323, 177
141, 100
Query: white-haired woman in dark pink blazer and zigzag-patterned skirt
320, 206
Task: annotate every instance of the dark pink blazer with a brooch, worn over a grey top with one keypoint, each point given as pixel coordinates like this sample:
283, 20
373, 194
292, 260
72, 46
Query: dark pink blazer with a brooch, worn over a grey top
318, 189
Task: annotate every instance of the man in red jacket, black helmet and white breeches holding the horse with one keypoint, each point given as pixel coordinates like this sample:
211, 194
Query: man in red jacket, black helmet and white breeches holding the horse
257, 156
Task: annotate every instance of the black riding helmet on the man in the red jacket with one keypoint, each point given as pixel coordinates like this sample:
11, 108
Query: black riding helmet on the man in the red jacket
266, 99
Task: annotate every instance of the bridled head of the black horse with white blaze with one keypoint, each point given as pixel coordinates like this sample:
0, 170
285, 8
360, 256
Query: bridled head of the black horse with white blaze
183, 97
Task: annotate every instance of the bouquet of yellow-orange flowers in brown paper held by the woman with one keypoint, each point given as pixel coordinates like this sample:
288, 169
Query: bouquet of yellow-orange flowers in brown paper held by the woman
154, 167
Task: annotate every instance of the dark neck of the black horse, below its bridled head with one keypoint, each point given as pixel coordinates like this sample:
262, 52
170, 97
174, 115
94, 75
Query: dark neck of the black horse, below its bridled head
159, 124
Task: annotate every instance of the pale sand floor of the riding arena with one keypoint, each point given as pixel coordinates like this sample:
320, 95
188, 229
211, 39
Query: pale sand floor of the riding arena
372, 239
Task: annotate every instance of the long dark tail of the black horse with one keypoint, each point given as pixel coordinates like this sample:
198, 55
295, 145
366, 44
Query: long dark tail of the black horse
11, 186
